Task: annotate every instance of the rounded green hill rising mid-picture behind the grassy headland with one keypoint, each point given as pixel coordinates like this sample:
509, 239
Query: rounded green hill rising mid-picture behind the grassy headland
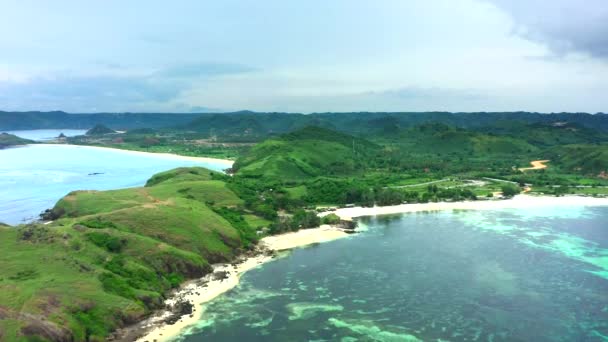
304, 154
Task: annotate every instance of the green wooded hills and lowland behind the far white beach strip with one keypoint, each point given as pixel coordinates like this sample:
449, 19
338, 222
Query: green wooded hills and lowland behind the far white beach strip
315, 166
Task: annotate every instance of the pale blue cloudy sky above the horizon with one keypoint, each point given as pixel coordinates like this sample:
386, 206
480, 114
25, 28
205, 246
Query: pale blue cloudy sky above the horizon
304, 56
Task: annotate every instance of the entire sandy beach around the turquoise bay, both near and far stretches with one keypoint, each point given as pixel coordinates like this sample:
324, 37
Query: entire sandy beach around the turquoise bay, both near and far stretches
204, 290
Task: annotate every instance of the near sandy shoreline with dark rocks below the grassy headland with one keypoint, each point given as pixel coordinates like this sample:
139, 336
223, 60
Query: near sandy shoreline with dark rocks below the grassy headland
224, 278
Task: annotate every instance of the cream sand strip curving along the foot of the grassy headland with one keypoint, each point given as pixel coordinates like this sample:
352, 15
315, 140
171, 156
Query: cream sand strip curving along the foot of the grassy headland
199, 294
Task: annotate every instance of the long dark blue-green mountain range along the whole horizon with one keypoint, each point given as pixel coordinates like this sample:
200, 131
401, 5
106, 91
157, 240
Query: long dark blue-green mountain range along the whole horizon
253, 124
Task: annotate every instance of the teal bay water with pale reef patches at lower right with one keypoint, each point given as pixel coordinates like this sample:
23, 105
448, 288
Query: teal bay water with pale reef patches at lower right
505, 275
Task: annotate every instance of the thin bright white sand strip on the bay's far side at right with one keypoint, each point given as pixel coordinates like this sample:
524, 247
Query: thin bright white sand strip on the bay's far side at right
520, 201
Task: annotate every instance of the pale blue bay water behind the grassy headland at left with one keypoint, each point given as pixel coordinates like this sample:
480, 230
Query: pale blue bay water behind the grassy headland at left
34, 177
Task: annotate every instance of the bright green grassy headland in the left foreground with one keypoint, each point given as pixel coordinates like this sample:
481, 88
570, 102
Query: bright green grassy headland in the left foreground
110, 256
